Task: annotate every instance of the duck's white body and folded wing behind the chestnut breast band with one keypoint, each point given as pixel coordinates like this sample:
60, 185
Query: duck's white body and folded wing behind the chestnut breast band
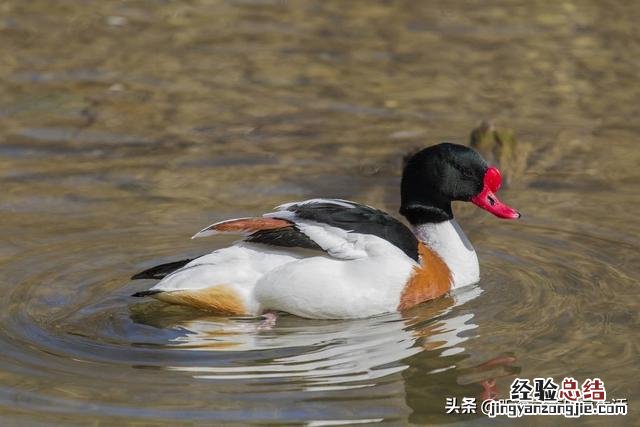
319, 258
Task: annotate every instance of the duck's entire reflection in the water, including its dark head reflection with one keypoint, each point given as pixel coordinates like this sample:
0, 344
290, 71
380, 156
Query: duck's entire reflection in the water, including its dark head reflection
414, 359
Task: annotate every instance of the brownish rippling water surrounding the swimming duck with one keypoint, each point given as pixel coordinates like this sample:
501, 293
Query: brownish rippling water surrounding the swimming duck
127, 126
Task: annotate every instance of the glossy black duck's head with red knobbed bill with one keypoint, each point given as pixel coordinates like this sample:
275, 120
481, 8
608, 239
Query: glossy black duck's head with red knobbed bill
437, 175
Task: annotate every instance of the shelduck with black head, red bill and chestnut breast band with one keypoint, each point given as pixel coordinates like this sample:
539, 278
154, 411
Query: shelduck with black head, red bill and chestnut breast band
339, 259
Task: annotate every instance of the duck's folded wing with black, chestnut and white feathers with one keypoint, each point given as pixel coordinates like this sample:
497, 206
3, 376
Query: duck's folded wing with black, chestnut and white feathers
339, 227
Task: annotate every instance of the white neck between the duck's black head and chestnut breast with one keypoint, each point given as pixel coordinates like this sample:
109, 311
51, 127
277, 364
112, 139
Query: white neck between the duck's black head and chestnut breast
449, 241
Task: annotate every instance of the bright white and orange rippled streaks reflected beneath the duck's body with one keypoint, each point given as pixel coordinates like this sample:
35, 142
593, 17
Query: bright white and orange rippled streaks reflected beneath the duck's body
330, 353
